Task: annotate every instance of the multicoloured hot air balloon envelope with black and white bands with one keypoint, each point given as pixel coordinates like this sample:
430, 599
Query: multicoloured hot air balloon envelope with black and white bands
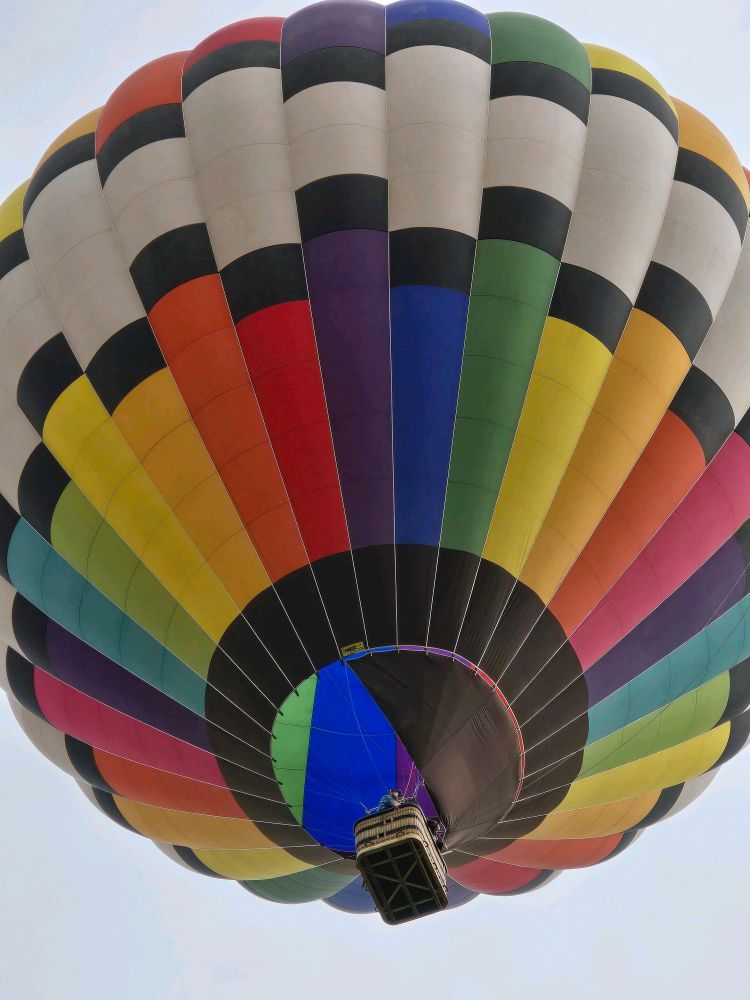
374, 415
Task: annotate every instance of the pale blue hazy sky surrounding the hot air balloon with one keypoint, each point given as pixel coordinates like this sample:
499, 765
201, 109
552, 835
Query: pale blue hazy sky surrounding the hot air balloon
88, 911
